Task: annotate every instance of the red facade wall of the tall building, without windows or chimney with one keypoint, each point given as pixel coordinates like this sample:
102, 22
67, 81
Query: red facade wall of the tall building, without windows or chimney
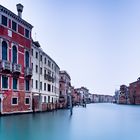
16, 38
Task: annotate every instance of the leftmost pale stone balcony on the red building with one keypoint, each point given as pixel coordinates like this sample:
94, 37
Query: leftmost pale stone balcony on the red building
5, 65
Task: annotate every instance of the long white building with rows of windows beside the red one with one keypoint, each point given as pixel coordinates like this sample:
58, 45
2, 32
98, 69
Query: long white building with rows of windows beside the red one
45, 79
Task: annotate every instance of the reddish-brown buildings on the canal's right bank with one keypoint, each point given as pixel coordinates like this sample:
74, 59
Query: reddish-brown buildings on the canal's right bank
128, 94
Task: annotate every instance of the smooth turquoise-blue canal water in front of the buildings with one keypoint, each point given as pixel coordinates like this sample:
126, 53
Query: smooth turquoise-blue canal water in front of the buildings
95, 122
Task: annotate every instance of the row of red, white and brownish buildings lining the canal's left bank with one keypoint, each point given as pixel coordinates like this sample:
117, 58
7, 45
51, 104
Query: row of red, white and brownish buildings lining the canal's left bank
30, 80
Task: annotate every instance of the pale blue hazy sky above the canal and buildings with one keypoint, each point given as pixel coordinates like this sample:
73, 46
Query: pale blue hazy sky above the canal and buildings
96, 41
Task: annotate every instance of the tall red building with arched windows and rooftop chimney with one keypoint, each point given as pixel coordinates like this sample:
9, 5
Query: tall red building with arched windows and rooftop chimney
15, 70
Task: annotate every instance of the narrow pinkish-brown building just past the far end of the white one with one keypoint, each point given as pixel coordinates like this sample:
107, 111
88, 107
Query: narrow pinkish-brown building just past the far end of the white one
64, 88
